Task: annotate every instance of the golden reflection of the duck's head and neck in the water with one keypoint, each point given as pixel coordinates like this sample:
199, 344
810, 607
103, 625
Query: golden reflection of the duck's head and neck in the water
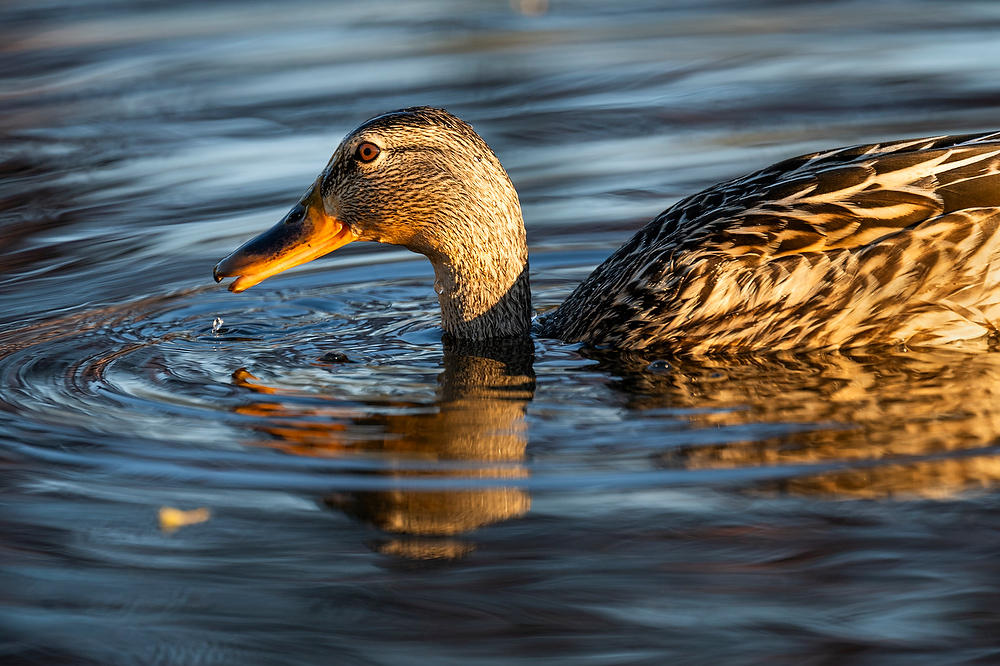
476, 427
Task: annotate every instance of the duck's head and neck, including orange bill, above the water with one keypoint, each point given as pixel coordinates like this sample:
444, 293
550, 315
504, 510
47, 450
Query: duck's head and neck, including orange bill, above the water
423, 179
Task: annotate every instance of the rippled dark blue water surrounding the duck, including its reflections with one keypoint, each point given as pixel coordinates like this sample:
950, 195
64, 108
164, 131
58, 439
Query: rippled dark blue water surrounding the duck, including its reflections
422, 504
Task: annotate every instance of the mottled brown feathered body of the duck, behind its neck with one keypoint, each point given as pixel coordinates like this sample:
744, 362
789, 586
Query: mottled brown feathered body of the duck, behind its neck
891, 242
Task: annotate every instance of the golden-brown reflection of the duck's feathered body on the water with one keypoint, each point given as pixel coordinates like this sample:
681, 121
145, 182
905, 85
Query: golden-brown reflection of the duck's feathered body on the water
892, 423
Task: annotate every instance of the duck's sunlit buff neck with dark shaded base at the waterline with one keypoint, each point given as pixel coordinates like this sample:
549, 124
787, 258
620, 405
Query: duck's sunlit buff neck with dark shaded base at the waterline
483, 285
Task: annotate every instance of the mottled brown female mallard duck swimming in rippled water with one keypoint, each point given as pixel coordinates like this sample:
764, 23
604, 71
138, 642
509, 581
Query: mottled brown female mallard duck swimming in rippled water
887, 243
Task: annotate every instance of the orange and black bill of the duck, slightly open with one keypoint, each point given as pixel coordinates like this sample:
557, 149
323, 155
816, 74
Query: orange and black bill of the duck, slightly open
305, 233
